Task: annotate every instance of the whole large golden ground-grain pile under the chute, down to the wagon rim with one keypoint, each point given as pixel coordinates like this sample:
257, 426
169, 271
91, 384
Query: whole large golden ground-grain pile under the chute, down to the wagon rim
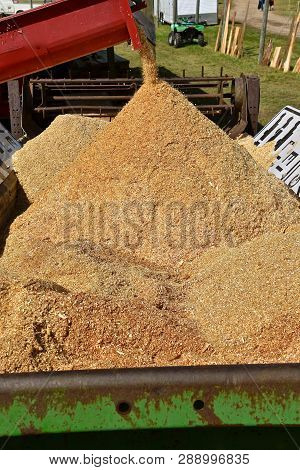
150, 237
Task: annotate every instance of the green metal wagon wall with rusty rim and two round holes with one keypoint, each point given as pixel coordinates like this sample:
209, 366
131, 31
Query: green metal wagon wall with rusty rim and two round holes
154, 398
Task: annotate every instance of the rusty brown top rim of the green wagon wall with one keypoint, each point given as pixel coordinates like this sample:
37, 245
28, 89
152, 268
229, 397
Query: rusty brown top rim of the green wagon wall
182, 377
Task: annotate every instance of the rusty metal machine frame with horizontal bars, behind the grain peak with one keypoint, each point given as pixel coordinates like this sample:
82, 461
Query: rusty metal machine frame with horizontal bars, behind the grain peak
223, 98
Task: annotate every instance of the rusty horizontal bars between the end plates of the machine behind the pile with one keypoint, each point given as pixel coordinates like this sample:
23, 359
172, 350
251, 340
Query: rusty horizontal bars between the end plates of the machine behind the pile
85, 95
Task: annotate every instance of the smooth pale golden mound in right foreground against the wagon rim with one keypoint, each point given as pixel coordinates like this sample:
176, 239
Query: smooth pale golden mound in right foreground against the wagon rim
247, 299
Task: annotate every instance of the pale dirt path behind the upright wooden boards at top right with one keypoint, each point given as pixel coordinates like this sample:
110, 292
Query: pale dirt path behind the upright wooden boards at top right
277, 24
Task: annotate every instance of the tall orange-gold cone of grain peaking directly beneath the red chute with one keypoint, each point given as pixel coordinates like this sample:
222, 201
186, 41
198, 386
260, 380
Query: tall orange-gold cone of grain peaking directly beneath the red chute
161, 182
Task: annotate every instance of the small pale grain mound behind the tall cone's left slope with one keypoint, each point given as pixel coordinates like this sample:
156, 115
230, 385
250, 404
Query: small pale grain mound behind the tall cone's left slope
37, 163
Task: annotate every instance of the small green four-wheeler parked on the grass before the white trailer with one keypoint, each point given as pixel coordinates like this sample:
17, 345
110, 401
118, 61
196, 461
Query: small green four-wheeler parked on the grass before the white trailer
185, 31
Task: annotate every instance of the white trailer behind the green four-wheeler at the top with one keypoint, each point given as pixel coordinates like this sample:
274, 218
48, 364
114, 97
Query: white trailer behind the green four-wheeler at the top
208, 10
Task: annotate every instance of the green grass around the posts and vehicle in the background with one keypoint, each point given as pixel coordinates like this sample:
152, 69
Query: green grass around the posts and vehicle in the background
278, 89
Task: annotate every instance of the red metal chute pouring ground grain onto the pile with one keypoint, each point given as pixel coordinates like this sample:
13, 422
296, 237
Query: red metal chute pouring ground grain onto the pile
61, 31
